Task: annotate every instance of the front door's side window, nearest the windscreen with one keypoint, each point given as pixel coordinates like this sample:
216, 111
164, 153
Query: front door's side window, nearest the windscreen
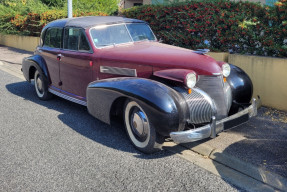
75, 39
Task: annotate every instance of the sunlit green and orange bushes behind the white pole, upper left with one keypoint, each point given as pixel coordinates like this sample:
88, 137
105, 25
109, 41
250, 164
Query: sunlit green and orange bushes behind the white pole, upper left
28, 17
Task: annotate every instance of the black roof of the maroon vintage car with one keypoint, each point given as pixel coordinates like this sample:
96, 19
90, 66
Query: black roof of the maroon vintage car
87, 22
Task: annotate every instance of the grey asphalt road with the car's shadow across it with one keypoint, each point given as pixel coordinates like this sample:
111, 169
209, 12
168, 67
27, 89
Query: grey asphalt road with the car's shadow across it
58, 146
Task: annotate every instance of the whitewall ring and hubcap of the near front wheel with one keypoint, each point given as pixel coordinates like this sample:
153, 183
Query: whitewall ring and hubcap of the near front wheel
137, 124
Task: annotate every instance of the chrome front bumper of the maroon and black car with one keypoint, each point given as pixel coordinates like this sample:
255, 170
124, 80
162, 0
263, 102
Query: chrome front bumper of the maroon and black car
215, 127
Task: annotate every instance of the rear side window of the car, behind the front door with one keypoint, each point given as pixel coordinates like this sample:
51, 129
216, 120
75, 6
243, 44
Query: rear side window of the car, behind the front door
53, 38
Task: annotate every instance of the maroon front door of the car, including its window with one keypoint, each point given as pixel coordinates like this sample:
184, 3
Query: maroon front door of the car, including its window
76, 63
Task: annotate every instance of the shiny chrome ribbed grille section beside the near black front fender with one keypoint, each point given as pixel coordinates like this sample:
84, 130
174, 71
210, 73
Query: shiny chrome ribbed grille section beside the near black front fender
201, 108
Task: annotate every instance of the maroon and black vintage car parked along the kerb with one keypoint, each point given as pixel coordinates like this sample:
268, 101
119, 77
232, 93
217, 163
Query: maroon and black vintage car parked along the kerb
116, 67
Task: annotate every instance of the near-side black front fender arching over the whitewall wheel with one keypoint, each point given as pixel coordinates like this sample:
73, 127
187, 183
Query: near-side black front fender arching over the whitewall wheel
166, 109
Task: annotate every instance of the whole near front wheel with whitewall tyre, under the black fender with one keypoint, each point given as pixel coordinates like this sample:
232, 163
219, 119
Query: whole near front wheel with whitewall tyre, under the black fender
140, 131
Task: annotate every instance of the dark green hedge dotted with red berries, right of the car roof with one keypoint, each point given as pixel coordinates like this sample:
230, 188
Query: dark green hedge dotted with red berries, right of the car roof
238, 27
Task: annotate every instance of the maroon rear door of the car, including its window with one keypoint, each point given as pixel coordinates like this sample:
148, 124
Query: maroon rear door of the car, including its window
52, 43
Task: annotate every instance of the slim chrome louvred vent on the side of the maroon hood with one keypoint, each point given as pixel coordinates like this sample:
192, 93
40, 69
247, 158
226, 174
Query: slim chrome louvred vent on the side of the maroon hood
118, 71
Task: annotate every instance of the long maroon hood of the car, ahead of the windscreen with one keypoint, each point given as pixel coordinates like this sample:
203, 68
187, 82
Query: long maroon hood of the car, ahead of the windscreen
161, 56
